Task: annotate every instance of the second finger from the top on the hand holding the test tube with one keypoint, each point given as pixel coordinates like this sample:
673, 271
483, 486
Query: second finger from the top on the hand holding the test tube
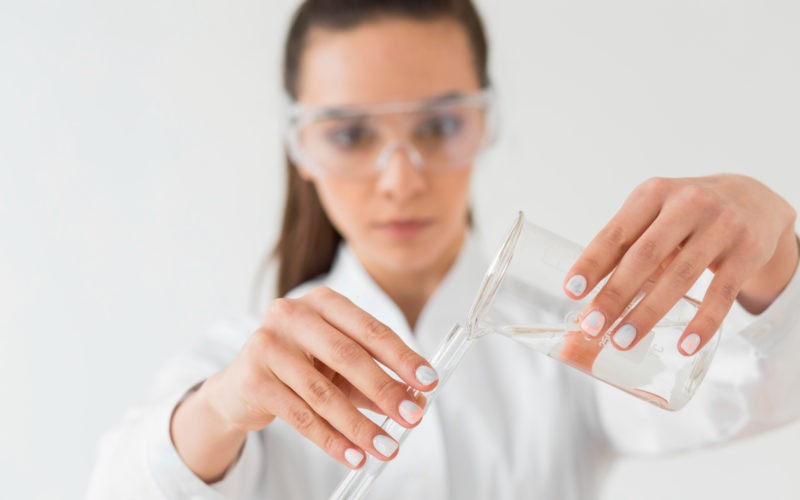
350, 360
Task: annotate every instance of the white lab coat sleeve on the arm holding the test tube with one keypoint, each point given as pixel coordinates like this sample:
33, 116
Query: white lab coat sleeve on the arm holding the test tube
138, 460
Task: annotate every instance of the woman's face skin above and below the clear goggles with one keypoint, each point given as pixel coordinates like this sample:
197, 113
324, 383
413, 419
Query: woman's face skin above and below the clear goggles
403, 219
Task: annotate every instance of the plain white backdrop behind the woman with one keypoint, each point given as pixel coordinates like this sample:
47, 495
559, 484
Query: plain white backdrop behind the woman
141, 184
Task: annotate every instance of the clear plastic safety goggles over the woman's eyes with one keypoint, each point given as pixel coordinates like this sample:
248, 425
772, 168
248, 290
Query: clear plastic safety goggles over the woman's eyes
357, 143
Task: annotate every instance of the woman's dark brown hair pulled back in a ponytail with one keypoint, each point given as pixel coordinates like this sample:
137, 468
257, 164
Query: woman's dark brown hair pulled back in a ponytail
308, 241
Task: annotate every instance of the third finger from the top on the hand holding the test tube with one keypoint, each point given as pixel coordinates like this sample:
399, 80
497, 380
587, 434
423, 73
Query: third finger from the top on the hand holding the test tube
327, 401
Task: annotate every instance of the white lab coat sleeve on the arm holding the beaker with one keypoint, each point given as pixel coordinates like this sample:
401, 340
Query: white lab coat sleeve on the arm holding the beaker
751, 386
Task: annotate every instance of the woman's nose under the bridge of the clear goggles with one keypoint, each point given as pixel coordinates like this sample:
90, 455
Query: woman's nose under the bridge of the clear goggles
401, 176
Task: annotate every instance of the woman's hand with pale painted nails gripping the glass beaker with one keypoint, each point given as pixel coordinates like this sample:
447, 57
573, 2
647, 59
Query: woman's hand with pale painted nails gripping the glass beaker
669, 231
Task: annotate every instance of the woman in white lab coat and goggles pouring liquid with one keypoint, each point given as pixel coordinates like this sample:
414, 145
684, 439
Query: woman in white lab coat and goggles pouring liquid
377, 261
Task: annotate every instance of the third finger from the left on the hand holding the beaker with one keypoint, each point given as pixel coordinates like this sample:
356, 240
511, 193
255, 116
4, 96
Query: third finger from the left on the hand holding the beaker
682, 272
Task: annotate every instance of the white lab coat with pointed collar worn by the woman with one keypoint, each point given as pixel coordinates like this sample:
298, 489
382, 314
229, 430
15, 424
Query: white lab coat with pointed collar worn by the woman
510, 423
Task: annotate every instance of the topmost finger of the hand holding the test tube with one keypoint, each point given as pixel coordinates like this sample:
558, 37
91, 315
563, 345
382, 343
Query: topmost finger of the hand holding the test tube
376, 338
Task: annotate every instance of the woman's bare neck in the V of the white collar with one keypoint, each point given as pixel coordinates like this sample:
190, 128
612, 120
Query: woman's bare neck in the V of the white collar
412, 290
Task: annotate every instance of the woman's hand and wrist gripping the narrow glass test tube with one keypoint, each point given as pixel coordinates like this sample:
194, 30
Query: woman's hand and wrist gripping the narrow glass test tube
312, 363
